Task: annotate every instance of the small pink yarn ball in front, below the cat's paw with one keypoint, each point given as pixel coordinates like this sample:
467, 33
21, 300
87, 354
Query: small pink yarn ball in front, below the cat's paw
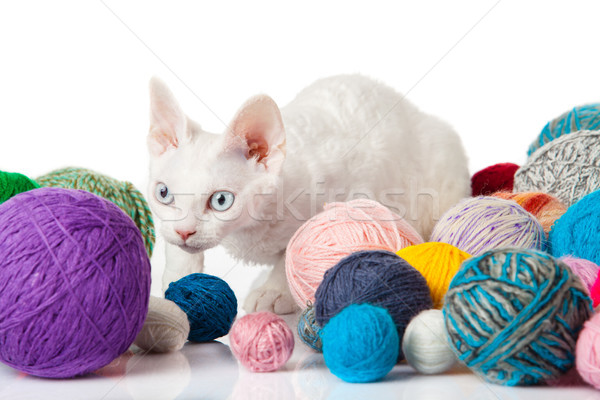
261, 341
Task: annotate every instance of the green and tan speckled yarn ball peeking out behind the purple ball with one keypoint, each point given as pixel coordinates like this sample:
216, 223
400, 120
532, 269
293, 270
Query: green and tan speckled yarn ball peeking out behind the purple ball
122, 193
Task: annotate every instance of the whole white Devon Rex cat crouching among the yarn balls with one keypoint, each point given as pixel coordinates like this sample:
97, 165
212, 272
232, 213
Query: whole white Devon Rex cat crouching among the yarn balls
250, 188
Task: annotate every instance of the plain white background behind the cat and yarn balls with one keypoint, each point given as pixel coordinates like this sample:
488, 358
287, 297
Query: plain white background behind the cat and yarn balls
74, 74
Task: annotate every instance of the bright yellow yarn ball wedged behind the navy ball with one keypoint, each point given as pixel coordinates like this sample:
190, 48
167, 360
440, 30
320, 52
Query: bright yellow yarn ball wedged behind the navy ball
438, 263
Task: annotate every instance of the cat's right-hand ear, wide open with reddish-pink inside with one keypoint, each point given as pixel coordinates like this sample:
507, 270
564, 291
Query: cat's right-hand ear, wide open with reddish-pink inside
257, 130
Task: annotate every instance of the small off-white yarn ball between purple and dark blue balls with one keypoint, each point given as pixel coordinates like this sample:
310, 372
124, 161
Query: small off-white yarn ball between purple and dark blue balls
166, 327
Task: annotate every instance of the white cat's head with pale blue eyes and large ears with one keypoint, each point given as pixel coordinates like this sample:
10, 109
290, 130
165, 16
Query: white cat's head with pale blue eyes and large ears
205, 186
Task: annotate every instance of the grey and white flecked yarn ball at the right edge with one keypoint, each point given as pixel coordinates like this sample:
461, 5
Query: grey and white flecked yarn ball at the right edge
567, 167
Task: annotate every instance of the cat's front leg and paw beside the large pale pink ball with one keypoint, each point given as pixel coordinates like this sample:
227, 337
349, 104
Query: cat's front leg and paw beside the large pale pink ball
274, 295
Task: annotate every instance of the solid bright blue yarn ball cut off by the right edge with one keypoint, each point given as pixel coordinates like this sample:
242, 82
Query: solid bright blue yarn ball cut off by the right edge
577, 232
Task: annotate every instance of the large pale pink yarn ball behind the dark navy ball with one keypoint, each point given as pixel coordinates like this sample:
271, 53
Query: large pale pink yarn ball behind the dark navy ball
340, 230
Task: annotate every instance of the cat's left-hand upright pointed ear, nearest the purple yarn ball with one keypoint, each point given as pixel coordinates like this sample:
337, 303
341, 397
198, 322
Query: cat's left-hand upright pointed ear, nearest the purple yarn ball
168, 123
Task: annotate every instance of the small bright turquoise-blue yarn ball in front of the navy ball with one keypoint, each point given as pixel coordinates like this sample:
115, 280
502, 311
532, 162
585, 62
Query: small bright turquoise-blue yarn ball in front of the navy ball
360, 344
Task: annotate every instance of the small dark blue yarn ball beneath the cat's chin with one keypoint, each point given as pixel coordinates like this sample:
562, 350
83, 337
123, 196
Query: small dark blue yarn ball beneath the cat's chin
208, 301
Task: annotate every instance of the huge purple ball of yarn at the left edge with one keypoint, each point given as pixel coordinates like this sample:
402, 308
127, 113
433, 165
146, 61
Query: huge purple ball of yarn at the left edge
74, 282
